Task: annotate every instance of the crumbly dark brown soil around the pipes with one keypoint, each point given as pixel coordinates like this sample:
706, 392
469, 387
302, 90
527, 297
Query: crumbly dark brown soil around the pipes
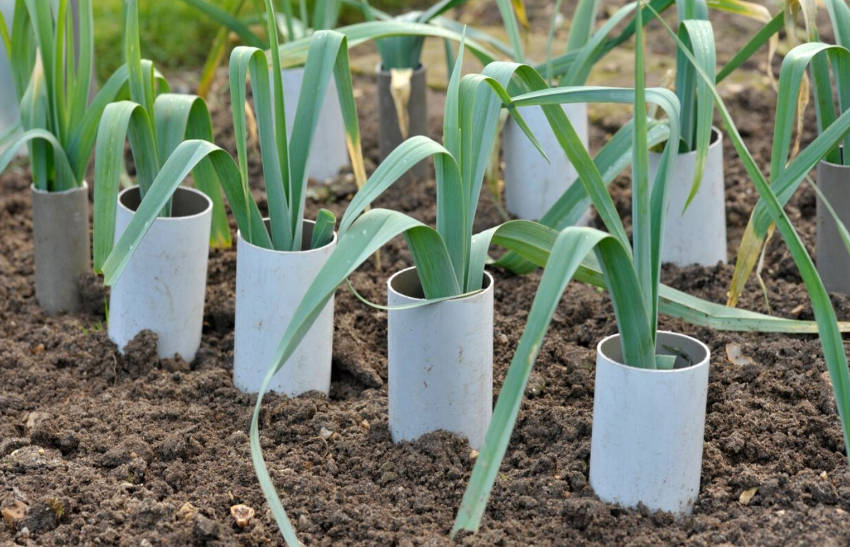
96, 447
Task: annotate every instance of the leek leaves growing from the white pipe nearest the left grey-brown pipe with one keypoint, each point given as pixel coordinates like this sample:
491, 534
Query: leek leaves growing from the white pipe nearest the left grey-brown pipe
155, 124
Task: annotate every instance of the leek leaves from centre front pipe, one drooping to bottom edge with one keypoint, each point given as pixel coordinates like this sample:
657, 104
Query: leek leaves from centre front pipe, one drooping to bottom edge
449, 260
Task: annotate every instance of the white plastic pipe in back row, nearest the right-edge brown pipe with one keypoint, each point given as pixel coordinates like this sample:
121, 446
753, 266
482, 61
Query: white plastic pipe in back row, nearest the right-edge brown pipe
699, 235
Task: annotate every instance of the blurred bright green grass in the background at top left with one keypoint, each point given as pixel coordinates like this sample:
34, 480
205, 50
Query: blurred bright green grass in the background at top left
176, 37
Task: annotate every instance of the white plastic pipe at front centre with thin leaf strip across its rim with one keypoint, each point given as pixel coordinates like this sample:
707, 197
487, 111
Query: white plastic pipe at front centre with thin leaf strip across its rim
440, 361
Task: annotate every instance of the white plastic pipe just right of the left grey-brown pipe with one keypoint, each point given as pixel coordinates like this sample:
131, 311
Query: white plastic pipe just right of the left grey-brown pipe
162, 287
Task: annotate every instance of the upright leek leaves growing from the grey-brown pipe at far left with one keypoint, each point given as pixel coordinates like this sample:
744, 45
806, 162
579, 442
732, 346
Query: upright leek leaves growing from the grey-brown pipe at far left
51, 61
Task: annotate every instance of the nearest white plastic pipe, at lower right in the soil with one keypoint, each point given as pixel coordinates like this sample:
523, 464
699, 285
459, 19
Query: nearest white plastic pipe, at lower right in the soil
648, 426
